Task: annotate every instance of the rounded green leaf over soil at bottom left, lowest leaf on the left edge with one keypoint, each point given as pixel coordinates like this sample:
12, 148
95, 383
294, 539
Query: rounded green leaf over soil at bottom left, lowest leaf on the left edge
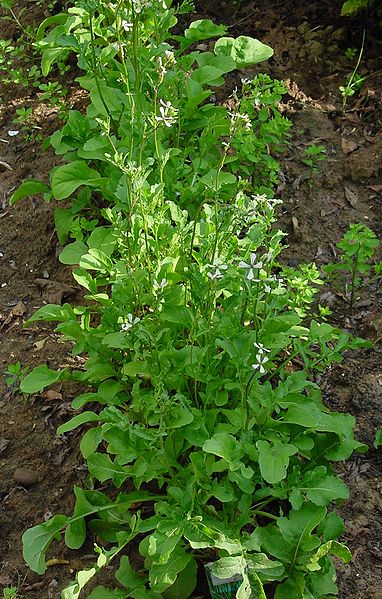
36, 541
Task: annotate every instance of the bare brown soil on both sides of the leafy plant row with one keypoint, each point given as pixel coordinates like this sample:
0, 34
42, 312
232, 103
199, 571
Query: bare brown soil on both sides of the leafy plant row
309, 43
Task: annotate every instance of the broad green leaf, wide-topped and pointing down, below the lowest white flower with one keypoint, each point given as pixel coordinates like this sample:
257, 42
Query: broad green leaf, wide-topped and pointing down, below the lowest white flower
274, 459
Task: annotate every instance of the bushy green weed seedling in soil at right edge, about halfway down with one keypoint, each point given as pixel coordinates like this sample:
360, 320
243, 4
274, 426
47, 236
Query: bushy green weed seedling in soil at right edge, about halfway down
357, 265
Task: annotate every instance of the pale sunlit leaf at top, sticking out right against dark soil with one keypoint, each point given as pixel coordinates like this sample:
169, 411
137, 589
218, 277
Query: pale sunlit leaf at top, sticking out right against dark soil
245, 51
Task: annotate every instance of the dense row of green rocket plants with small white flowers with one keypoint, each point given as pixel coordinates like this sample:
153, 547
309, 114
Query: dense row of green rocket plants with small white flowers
204, 423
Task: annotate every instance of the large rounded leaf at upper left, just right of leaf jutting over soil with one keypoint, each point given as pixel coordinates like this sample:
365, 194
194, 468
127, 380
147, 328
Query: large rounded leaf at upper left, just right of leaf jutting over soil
68, 177
